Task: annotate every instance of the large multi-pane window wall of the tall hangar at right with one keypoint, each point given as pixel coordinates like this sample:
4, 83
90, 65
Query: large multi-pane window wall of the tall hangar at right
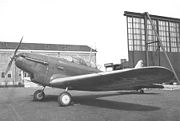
138, 26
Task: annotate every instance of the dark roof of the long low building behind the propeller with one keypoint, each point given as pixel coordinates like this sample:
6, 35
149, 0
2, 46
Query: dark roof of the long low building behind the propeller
47, 47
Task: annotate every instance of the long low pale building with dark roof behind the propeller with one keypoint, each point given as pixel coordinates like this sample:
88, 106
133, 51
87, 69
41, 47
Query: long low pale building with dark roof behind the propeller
16, 77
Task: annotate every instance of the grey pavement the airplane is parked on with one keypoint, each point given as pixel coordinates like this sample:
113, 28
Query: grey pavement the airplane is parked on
16, 104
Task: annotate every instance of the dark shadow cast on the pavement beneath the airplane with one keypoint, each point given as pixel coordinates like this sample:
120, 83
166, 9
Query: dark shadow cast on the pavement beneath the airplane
92, 100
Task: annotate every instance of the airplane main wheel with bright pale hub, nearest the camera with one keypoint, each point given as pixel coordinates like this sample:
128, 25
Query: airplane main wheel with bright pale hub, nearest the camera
64, 99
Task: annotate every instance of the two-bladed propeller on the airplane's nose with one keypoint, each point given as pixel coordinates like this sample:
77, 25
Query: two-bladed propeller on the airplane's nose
12, 58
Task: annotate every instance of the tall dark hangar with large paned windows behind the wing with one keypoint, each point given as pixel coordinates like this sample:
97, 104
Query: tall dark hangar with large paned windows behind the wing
144, 44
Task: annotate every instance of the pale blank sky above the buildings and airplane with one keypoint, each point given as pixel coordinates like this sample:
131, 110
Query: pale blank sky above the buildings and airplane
99, 24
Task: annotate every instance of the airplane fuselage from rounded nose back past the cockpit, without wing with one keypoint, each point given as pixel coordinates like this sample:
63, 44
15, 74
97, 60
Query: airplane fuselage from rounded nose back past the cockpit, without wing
44, 68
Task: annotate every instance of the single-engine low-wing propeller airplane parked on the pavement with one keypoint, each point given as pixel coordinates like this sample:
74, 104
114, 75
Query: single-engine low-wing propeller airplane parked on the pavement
68, 75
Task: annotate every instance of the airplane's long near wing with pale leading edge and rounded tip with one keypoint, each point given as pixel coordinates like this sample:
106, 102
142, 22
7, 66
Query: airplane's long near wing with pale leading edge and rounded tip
126, 79
